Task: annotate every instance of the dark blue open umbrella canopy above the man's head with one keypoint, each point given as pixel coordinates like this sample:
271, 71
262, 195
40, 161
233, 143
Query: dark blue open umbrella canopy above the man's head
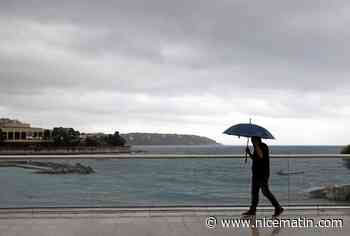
249, 130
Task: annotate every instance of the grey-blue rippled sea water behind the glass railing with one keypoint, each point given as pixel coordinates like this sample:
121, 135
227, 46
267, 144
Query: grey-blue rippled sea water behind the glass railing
141, 182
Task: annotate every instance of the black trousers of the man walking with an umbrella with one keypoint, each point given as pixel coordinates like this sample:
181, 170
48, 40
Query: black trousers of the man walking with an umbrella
261, 182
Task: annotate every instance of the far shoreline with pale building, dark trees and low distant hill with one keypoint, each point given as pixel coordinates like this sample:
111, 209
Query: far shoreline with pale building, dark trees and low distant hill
17, 133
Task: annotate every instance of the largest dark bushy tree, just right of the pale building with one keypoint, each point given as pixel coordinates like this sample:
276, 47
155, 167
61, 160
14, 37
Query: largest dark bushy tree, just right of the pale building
65, 136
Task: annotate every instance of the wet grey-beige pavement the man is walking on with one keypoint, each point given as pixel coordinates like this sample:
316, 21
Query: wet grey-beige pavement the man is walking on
167, 221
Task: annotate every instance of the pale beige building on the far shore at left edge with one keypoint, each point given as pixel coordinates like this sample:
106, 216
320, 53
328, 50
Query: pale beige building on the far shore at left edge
14, 131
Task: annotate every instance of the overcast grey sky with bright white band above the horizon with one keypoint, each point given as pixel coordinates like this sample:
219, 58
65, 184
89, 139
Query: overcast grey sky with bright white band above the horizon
184, 66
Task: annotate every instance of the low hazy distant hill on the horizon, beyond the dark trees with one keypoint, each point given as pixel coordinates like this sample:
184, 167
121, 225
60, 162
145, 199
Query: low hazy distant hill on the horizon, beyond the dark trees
166, 139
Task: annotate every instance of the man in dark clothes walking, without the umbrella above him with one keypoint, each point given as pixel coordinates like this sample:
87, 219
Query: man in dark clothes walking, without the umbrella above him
260, 177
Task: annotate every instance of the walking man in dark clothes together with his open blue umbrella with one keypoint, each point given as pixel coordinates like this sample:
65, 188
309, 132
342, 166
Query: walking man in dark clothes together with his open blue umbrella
260, 166
